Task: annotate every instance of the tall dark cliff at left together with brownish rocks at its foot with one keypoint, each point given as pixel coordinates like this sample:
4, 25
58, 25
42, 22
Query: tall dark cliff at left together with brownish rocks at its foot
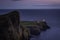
10, 28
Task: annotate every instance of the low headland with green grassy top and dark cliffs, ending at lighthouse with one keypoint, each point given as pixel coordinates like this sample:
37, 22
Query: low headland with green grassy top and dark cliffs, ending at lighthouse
34, 27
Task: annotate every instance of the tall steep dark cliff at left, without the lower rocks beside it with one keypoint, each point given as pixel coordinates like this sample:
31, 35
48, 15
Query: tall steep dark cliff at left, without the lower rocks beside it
9, 23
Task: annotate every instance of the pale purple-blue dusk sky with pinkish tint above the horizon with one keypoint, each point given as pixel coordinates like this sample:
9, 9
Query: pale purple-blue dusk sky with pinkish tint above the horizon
30, 4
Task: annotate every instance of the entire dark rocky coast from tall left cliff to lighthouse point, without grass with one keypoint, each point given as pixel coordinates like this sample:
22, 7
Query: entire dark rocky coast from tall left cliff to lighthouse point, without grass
10, 29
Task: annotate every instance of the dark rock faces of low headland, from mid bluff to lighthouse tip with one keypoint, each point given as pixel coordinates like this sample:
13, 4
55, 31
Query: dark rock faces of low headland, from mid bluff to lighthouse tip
36, 30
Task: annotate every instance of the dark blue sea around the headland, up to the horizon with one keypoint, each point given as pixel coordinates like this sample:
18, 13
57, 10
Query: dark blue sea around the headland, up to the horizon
52, 17
